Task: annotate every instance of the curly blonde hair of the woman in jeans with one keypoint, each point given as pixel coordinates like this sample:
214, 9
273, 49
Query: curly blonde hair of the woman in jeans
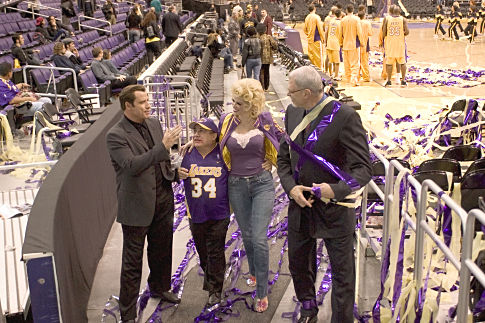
251, 91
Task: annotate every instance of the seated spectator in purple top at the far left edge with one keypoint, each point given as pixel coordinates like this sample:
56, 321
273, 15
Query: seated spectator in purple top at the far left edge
25, 102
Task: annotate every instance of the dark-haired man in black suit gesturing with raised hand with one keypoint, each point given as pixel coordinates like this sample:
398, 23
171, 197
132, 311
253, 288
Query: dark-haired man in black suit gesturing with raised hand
139, 152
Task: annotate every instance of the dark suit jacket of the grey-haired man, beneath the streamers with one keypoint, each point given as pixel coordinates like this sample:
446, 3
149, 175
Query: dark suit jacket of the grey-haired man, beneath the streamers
344, 144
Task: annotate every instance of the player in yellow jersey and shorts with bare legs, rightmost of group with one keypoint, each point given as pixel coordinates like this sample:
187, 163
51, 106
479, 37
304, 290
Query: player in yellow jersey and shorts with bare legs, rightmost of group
394, 29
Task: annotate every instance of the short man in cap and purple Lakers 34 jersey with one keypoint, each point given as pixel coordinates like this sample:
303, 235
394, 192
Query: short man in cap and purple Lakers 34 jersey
205, 180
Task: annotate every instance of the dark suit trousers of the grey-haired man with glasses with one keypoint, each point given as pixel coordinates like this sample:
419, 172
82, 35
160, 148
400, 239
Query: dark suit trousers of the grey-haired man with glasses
302, 249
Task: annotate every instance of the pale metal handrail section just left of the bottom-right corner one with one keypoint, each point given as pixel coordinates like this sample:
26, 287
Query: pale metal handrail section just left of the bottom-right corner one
422, 227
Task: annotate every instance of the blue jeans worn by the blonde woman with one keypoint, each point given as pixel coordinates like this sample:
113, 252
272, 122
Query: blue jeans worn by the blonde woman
252, 200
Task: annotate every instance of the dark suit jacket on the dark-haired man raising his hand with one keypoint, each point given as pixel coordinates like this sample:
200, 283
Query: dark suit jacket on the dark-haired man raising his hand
135, 172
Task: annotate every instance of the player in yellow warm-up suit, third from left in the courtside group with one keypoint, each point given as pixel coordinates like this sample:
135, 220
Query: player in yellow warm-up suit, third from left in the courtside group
351, 30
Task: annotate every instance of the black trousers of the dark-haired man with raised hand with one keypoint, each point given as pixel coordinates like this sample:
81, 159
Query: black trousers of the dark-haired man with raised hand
159, 251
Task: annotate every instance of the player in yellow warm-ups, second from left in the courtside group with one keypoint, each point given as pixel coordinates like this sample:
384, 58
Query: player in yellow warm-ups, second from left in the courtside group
334, 40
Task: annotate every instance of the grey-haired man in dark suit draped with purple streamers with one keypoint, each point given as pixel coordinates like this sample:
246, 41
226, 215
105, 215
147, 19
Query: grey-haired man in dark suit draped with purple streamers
342, 143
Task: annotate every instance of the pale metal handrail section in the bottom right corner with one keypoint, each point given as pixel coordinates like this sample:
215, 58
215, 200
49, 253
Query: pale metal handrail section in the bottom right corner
467, 265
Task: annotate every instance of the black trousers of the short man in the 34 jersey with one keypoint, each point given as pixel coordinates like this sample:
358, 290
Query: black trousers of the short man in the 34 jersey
210, 239
